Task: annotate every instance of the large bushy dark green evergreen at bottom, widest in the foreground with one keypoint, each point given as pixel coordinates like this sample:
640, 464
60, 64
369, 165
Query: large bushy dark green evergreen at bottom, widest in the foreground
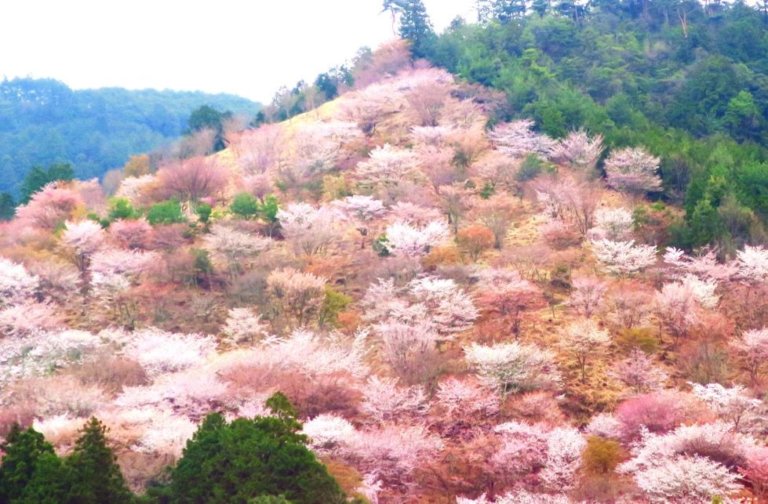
251, 458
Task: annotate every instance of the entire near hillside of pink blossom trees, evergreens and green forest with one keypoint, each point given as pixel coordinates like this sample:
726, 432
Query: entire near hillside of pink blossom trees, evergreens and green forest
418, 291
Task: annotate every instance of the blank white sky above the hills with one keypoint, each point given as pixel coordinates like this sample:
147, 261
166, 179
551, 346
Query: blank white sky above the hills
246, 47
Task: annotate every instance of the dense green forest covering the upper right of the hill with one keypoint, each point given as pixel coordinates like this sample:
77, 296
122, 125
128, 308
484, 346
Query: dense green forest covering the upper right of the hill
698, 99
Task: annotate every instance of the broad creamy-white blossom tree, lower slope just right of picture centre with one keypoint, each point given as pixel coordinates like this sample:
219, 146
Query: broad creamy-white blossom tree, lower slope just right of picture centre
513, 367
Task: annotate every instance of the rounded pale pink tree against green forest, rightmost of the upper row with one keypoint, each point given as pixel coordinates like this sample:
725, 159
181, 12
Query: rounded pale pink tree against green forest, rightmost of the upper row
633, 170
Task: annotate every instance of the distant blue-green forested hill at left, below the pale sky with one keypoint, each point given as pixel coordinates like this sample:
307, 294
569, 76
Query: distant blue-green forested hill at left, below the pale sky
44, 122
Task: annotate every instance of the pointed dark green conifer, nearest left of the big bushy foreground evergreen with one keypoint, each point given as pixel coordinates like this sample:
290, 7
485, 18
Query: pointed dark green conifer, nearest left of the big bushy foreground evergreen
95, 475
